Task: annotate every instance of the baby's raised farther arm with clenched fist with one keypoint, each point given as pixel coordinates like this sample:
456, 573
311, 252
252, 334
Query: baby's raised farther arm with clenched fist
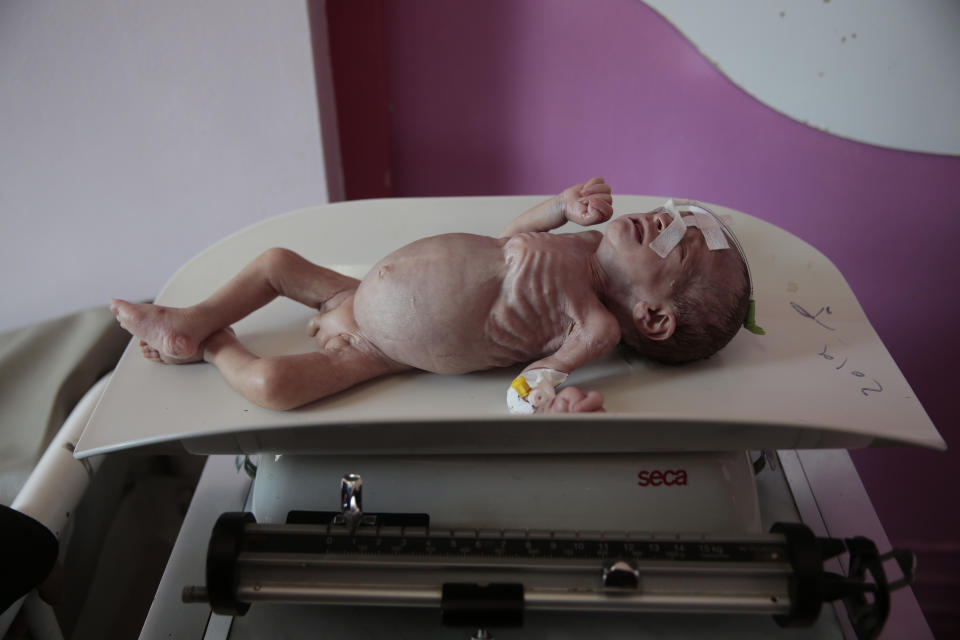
586, 204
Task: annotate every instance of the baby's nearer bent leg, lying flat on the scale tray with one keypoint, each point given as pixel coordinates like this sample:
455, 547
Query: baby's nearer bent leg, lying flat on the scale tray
286, 382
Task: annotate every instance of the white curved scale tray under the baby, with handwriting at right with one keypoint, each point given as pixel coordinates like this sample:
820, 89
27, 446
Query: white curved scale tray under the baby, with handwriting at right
820, 378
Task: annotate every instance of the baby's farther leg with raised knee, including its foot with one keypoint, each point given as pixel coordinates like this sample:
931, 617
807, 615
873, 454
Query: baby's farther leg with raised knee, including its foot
174, 335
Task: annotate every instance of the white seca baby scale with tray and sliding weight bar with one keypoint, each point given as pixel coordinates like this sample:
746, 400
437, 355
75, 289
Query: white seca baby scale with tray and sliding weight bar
416, 505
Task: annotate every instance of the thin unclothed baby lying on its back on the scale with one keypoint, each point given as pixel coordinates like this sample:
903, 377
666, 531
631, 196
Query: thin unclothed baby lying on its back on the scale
457, 303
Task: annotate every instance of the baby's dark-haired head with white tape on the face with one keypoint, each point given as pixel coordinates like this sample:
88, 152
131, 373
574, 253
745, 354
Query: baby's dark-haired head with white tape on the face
680, 293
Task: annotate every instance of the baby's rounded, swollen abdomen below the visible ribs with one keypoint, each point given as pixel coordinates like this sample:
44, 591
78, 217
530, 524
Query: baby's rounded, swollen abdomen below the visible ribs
427, 305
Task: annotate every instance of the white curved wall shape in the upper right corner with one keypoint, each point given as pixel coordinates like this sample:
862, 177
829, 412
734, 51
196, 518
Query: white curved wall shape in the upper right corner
877, 71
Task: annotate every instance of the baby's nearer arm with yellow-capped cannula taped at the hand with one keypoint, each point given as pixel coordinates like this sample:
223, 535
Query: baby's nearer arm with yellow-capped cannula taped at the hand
588, 340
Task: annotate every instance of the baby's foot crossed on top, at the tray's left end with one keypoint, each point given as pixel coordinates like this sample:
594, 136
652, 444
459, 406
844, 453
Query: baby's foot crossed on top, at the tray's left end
161, 330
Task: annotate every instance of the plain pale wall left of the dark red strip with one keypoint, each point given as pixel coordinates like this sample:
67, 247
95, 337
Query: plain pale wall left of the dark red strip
135, 133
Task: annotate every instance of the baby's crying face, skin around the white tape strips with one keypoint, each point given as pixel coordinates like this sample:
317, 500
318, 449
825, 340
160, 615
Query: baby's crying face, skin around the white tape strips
635, 272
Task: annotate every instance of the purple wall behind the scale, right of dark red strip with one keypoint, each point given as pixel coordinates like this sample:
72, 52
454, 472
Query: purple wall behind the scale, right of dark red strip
520, 97
